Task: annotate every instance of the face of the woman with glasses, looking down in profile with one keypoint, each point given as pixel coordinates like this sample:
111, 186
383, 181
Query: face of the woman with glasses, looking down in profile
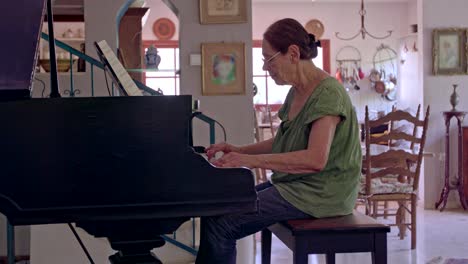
274, 63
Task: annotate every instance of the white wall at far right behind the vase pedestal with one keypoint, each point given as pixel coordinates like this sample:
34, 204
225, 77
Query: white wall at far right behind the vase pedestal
437, 90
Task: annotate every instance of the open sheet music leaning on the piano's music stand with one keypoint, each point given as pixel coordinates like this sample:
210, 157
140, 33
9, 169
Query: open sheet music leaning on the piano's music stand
123, 76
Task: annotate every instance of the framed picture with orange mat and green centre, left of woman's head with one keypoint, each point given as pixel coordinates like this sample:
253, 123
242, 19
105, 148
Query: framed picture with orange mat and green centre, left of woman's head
223, 68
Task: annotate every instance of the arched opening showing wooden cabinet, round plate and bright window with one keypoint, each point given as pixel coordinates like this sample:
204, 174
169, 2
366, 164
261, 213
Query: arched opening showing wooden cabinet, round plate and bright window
150, 23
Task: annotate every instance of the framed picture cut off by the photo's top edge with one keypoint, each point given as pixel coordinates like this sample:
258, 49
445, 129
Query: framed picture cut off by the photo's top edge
223, 11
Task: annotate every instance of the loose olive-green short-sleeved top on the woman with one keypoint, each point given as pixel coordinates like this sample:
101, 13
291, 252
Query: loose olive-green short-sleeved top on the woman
332, 191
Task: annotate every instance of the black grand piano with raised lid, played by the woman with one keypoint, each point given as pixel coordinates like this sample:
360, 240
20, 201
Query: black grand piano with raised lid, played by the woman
118, 167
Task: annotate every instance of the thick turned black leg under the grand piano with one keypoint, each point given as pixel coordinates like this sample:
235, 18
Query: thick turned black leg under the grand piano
136, 252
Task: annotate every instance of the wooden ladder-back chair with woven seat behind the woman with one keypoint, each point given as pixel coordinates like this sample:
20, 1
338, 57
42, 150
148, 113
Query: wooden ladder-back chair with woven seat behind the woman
391, 174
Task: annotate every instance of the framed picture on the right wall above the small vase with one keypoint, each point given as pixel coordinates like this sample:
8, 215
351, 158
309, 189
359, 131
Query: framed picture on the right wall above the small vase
449, 51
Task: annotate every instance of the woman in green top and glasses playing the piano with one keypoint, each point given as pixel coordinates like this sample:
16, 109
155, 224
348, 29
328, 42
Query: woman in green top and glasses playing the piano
315, 156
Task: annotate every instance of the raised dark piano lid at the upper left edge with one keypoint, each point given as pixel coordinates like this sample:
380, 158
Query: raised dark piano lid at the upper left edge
19, 45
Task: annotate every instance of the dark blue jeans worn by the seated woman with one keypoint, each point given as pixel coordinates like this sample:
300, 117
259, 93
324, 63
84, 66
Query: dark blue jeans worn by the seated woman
218, 234
